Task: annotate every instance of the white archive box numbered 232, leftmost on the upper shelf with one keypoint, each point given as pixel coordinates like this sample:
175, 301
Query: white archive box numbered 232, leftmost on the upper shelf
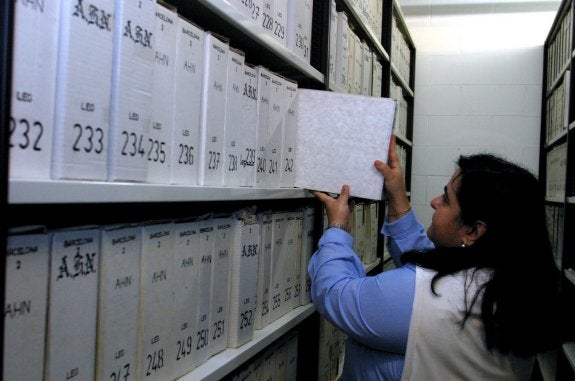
33, 86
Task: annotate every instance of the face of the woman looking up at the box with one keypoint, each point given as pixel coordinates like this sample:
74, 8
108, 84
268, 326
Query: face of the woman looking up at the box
446, 228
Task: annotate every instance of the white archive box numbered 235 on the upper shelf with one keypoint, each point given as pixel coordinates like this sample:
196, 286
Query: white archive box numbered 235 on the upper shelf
160, 149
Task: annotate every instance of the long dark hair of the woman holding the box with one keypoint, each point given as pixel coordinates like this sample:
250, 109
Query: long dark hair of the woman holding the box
520, 301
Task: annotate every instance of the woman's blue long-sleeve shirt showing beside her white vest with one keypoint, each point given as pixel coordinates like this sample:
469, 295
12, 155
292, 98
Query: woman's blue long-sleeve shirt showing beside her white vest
374, 311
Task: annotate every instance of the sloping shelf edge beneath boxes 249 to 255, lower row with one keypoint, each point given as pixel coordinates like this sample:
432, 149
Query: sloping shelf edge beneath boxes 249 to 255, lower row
223, 363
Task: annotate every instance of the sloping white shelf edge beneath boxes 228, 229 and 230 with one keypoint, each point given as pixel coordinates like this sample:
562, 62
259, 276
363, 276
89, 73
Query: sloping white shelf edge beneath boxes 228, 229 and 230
236, 19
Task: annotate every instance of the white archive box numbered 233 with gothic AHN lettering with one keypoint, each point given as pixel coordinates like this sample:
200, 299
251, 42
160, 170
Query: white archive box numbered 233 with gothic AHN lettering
83, 89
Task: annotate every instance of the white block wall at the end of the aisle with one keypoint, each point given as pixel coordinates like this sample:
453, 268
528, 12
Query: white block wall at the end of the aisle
479, 69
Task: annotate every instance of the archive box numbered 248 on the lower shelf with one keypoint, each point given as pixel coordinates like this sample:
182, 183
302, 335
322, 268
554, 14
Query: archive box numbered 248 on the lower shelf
155, 353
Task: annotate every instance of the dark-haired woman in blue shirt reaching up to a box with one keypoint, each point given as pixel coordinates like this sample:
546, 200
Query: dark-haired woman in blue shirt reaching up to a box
473, 298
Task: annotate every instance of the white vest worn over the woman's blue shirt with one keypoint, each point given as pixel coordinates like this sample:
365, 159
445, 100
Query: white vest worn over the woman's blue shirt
437, 347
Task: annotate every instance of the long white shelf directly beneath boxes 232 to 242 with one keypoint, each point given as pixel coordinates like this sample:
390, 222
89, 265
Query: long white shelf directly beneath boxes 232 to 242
69, 191
